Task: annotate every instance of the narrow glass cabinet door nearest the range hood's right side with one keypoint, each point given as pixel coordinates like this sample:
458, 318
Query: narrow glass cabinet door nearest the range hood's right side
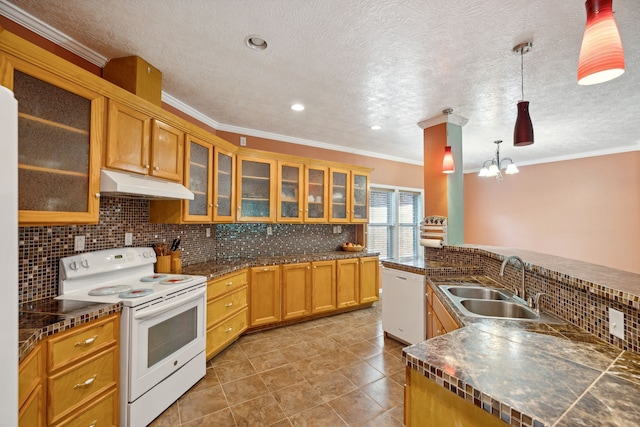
198, 177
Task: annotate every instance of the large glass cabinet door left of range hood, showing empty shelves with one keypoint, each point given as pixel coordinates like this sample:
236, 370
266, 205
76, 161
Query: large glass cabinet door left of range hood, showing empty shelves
57, 161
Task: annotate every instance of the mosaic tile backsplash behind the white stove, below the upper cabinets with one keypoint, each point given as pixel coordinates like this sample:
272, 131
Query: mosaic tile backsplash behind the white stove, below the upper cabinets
40, 248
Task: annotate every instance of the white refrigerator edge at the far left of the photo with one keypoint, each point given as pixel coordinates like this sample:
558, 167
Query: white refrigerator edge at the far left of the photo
9, 258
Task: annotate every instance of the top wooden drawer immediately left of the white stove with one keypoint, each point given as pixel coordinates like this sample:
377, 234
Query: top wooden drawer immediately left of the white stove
67, 347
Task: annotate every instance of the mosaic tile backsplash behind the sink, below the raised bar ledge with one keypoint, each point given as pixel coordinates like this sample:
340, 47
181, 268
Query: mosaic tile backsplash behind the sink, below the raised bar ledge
572, 299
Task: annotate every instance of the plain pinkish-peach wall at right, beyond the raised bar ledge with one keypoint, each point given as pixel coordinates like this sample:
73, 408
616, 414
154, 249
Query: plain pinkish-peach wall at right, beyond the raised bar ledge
585, 209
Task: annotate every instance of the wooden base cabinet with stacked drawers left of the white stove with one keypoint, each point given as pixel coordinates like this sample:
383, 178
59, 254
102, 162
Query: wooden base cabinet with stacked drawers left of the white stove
71, 378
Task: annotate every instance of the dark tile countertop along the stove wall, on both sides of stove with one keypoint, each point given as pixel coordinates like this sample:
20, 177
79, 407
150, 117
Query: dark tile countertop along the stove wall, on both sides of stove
45, 317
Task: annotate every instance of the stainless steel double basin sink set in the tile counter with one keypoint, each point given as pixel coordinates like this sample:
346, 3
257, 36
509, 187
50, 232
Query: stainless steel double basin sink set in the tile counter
477, 301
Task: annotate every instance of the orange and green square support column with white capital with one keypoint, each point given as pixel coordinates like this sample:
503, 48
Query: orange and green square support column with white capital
443, 193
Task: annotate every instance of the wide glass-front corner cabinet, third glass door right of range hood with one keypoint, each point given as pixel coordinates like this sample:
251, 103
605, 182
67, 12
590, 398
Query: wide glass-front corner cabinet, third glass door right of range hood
256, 189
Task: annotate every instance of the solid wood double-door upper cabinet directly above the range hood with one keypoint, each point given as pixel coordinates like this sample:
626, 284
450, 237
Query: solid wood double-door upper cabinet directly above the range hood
140, 144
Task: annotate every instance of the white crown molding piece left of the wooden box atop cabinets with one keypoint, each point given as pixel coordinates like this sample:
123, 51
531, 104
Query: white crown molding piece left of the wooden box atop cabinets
42, 29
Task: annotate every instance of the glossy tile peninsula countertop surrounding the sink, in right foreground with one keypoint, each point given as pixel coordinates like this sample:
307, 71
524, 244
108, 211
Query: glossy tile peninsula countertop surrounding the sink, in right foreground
529, 373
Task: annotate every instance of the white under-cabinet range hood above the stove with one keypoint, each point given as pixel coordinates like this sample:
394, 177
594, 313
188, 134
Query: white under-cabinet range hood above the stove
120, 184
